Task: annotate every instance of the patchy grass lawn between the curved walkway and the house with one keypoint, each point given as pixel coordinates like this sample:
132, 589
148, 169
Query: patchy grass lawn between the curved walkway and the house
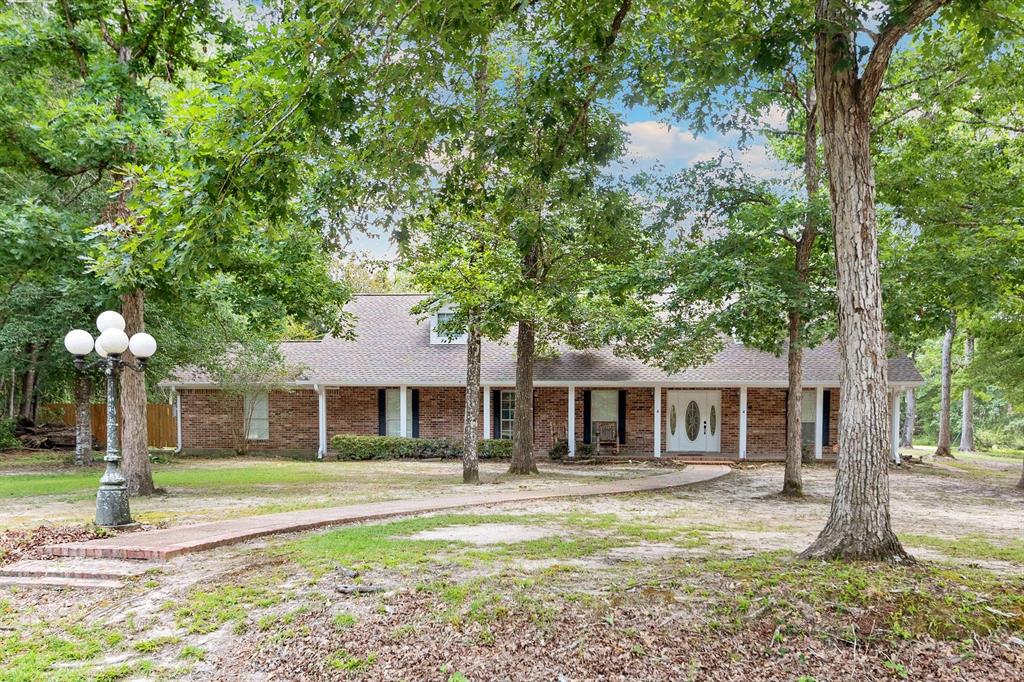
45, 488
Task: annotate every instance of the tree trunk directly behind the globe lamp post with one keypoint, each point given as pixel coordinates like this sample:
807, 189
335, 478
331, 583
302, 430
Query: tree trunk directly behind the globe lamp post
135, 440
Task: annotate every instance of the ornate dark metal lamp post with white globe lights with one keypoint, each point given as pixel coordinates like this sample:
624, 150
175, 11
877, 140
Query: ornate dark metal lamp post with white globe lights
112, 498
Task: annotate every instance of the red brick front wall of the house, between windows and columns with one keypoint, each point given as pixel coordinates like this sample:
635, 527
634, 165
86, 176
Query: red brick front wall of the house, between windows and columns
209, 419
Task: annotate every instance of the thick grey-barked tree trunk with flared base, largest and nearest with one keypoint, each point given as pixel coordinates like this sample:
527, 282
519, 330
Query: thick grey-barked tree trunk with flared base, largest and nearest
860, 526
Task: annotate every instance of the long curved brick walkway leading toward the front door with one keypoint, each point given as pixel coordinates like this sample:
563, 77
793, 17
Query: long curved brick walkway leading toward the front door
167, 543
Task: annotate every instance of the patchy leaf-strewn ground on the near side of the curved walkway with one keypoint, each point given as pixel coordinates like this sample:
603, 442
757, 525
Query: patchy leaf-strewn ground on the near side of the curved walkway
694, 584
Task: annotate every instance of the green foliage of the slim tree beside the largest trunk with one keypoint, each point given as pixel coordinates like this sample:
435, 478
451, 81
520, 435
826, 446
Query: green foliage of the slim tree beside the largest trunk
730, 273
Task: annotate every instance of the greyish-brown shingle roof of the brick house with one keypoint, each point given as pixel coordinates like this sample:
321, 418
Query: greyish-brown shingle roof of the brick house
393, 348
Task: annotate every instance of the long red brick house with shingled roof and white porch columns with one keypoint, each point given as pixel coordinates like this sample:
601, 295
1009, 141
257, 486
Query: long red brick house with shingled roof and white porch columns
400, 377
